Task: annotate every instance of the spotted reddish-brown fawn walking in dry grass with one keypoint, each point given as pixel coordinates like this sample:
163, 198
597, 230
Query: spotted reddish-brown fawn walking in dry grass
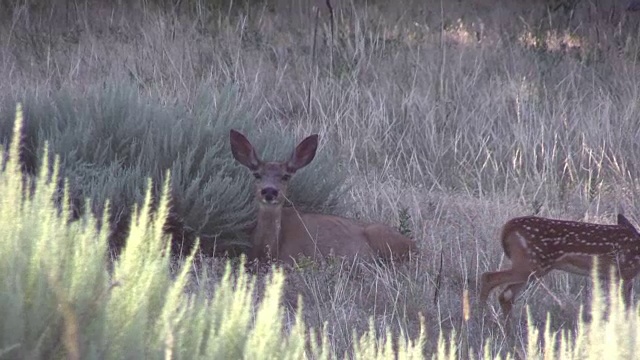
538, 245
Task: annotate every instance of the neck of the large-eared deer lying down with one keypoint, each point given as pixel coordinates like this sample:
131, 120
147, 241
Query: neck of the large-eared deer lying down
267, 235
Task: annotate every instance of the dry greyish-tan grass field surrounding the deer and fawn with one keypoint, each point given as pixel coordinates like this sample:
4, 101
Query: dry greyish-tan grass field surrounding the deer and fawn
463, 114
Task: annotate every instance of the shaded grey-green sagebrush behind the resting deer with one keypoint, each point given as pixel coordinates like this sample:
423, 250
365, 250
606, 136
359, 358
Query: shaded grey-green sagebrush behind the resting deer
112, 140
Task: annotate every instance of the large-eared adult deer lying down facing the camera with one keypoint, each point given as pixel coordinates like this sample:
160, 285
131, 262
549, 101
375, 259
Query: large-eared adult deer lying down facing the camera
285, 234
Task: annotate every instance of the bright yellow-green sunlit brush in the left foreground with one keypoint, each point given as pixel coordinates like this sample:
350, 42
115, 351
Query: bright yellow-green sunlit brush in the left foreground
59, 300
